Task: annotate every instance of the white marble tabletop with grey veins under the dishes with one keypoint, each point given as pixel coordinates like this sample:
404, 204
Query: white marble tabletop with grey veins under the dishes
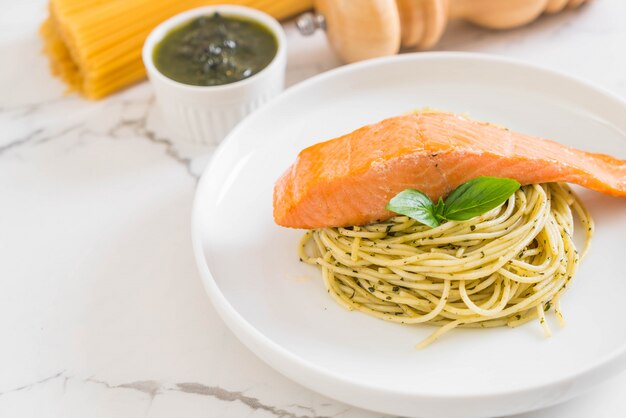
102, 313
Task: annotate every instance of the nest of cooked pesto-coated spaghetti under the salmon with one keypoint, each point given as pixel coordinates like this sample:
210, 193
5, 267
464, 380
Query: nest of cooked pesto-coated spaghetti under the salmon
505, 267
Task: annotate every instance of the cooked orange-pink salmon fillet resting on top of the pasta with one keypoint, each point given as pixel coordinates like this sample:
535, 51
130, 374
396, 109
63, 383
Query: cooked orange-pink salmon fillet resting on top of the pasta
350, 179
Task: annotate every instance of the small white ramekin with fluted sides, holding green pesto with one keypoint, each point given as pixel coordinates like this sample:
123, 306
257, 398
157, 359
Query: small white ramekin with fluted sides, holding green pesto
205, 114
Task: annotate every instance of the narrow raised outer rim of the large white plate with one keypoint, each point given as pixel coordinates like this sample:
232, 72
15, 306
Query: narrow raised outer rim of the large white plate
249, 334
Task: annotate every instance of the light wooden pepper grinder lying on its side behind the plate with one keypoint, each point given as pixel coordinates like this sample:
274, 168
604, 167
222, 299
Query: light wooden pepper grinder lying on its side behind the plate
362, 29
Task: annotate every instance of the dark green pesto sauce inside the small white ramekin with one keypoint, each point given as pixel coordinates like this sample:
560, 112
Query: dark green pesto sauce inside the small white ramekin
215, 50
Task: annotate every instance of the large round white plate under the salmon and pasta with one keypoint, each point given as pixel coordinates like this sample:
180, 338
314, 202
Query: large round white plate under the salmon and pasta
278, 307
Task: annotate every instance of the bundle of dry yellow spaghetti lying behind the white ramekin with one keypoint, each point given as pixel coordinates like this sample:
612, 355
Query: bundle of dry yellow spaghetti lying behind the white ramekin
95, 45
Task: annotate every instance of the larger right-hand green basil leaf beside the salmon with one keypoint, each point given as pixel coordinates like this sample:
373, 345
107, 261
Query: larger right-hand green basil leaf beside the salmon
478, 196
